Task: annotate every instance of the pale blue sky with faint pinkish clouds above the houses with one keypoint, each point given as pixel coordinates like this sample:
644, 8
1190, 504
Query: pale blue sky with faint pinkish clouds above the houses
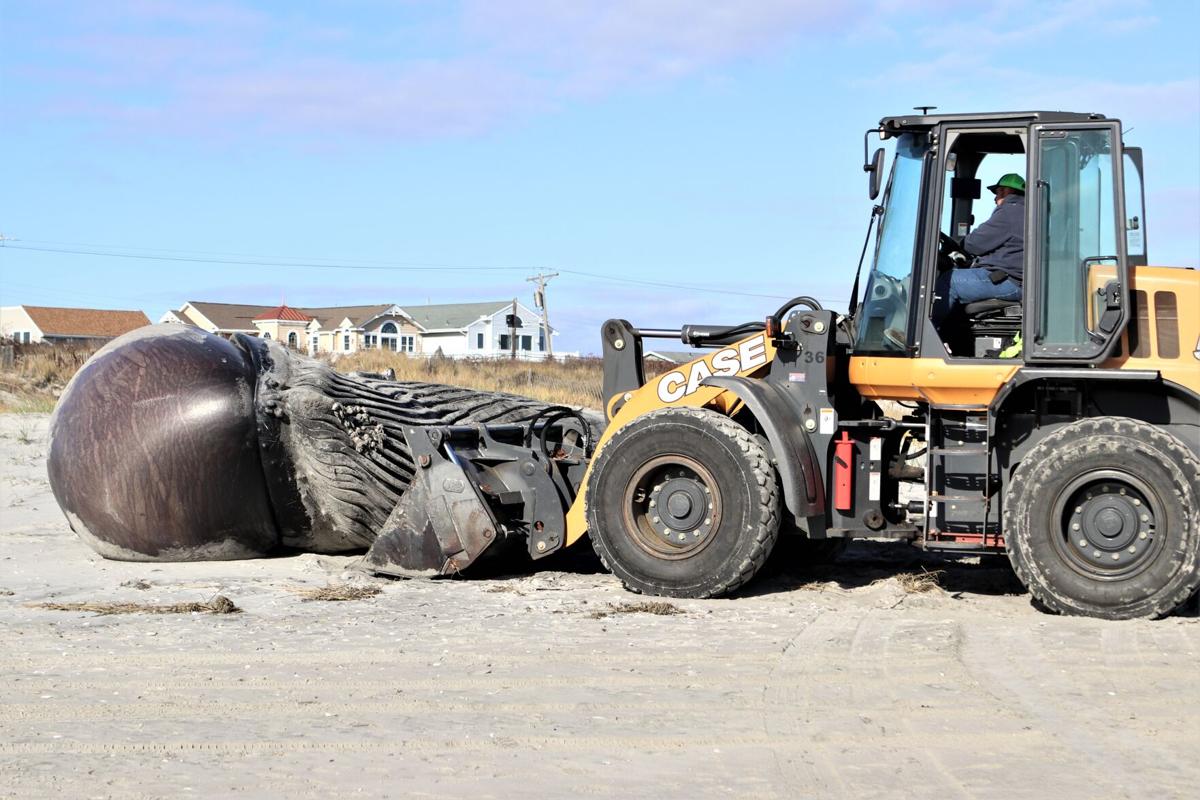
715, 147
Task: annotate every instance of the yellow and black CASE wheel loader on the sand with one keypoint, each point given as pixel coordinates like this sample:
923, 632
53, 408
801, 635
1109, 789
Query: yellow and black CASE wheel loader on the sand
1061, 429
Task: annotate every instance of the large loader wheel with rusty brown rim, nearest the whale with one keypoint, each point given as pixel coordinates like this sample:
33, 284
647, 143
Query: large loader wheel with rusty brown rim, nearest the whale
683, 503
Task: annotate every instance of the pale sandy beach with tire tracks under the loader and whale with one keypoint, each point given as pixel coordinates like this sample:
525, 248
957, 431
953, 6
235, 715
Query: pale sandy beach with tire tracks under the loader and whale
836, 683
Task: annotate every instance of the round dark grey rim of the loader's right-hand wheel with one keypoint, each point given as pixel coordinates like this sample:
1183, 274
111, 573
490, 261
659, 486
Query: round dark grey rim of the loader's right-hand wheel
1111, 525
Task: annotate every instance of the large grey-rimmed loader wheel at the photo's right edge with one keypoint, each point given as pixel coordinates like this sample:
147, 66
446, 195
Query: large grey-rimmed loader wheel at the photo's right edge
1102, 519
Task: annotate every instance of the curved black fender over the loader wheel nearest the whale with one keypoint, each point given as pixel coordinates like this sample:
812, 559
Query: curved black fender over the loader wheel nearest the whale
800, 471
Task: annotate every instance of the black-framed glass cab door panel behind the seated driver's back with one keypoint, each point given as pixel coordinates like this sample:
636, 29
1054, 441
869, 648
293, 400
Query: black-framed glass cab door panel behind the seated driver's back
1078, 276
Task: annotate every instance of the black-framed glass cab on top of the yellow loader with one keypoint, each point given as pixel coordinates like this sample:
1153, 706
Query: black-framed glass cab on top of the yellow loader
1079, 238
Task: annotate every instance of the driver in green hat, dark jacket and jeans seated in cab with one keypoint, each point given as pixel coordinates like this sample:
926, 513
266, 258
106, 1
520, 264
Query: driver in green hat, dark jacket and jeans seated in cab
999, 249
